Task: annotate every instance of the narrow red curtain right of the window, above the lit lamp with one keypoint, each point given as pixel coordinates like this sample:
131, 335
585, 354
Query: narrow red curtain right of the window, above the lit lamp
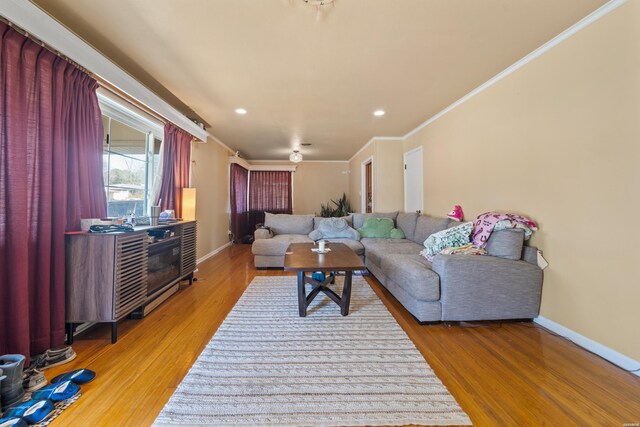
175, 170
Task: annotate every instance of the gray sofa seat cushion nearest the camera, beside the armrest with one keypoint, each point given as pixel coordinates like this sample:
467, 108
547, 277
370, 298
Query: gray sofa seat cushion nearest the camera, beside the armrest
413, 274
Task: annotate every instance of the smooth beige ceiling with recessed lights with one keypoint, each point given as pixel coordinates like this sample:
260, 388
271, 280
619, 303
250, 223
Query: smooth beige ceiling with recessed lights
309, 76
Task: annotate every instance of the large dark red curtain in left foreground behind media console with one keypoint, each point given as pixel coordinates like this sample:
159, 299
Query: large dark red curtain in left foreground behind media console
50, 177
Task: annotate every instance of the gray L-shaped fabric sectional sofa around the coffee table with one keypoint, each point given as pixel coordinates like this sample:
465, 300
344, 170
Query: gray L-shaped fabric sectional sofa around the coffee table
507, 284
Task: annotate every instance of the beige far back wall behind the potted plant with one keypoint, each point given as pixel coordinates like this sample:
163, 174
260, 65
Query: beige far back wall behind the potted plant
315, 183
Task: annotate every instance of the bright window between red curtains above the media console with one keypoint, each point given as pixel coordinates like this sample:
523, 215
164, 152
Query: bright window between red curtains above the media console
131, 158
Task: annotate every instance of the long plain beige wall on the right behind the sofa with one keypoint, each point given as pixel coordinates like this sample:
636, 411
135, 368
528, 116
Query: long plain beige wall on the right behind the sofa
559, 141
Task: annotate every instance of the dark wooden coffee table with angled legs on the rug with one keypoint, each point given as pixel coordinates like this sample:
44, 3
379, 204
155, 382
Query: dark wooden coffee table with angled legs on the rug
300, 258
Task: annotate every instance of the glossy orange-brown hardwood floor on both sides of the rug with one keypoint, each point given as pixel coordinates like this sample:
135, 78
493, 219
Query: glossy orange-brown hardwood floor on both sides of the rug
503, 374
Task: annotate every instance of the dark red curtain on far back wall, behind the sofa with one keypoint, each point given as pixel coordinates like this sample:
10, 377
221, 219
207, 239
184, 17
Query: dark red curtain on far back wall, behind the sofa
269, 191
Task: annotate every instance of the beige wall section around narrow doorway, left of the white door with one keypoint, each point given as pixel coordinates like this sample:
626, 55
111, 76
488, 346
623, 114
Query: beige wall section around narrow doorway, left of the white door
387, 174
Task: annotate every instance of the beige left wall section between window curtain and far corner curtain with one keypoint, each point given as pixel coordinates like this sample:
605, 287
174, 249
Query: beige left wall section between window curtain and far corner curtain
210, 176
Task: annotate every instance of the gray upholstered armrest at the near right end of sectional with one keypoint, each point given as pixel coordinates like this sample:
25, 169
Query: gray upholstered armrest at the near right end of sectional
487, 288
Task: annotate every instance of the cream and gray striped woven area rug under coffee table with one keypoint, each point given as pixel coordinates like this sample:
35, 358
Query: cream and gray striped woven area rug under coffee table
267, 366
